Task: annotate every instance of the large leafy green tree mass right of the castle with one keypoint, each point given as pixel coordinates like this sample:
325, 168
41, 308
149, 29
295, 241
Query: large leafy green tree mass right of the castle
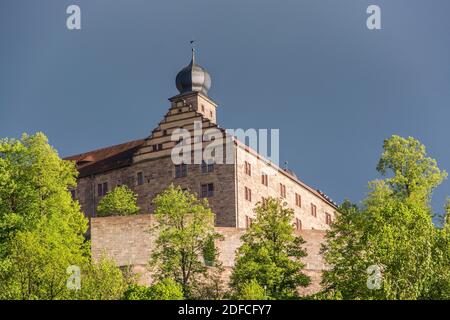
392, 232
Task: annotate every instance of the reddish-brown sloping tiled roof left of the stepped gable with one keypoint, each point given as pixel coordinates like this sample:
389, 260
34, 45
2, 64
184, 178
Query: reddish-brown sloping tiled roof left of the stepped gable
105, 159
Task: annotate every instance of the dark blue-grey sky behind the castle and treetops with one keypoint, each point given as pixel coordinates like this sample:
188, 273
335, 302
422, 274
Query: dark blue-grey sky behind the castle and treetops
311, 68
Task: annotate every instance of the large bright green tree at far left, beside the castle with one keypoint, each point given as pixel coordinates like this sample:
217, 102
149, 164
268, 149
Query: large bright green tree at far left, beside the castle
41, 227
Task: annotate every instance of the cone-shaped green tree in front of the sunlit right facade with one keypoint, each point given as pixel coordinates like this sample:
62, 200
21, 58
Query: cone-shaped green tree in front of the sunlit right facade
271, 253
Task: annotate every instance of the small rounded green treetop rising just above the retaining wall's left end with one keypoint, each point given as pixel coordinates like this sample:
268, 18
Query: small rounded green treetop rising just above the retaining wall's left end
121, 201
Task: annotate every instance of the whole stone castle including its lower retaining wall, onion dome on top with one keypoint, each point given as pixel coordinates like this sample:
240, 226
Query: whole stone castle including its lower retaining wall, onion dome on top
147, 166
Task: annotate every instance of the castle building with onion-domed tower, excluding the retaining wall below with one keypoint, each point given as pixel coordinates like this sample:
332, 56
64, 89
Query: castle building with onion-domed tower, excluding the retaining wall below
232, 189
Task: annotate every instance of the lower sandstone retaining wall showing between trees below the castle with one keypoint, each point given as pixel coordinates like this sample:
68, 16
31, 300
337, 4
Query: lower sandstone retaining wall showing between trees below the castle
129, 242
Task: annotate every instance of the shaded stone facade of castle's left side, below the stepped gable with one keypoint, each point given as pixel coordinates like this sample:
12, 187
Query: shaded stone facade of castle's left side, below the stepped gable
158, 175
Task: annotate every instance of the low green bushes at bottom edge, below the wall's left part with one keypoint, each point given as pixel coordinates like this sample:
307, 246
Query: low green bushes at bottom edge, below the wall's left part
166, 289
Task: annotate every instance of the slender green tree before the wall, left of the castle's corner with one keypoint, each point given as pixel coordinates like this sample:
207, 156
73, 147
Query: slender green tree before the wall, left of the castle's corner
185, 225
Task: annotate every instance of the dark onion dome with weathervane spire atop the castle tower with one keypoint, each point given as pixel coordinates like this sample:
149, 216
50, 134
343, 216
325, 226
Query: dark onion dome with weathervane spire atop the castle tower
193, 78
